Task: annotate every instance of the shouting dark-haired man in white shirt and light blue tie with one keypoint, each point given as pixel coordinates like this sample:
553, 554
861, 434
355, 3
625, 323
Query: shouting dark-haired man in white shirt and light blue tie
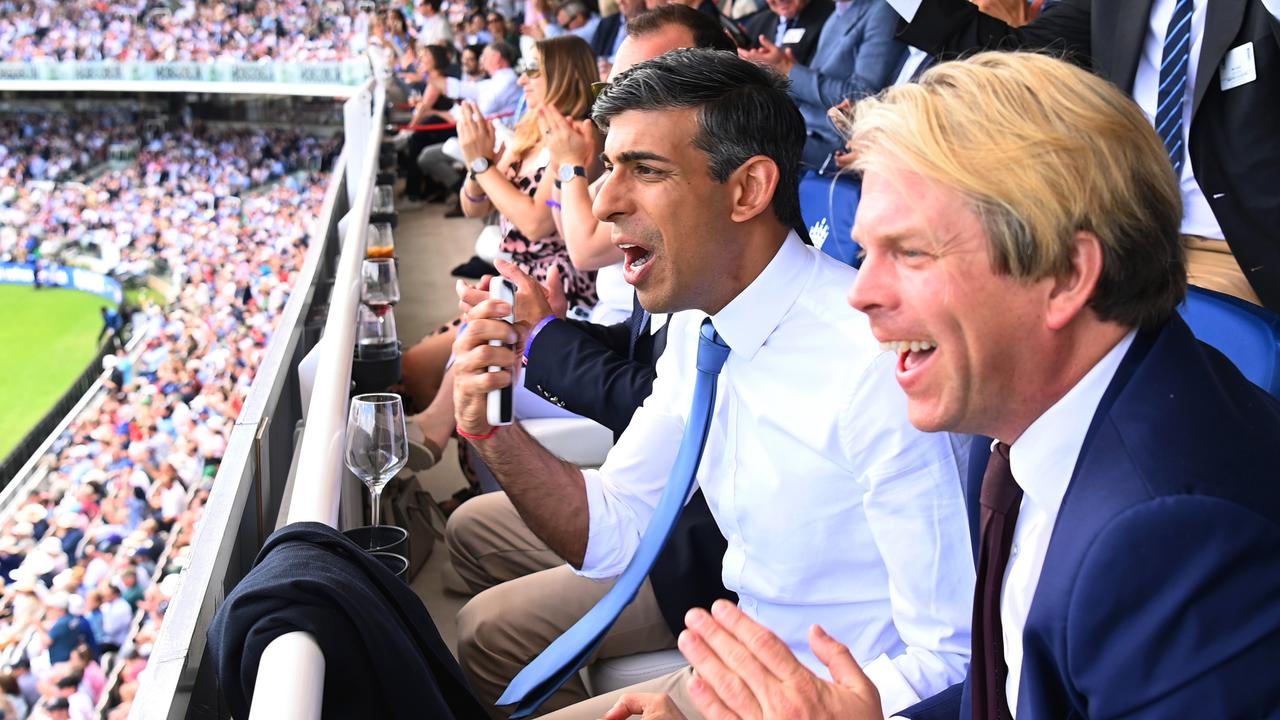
821, 495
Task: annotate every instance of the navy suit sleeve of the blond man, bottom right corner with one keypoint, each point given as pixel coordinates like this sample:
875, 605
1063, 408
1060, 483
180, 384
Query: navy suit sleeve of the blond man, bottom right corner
1176, 613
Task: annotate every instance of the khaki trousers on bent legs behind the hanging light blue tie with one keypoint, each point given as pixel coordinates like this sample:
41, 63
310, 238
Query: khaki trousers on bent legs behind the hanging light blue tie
528, 598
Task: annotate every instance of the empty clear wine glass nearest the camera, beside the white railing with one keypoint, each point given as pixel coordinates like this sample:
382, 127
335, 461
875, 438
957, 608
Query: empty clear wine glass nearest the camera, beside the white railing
377, 444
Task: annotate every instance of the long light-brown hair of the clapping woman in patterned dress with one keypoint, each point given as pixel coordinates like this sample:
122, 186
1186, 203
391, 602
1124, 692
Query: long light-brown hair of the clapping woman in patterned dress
569, 66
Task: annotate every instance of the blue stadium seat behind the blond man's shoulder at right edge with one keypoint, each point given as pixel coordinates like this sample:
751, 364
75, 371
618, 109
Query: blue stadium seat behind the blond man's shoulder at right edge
1250, 336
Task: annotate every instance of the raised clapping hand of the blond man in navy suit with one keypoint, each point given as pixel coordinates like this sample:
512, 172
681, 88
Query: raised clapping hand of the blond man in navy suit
746, 672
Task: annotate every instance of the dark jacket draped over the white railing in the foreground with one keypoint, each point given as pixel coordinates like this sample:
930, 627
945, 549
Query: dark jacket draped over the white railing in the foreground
383, 655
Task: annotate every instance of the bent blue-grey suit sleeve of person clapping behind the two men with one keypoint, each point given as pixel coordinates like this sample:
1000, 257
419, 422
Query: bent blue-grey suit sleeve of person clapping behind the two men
877, 58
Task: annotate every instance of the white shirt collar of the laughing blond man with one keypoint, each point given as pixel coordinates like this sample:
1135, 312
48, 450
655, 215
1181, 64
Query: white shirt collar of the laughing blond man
1044, 458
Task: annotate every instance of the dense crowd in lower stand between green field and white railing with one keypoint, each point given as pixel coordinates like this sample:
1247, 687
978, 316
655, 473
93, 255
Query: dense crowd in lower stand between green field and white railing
93, 557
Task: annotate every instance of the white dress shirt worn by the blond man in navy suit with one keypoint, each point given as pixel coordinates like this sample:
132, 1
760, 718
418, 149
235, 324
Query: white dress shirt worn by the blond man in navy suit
1043, 462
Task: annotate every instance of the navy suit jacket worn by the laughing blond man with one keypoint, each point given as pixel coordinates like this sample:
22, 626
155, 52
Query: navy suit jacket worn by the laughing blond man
1160, 595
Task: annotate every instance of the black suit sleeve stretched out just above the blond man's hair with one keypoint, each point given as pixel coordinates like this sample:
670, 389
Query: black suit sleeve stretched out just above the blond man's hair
957, 28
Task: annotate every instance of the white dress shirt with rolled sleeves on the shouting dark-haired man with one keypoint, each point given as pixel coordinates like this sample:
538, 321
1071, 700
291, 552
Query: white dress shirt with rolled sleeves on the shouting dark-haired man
836, 511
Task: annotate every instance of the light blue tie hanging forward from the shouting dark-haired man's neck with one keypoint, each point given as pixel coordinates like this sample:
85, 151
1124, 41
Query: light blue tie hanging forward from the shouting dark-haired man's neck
563, 659
